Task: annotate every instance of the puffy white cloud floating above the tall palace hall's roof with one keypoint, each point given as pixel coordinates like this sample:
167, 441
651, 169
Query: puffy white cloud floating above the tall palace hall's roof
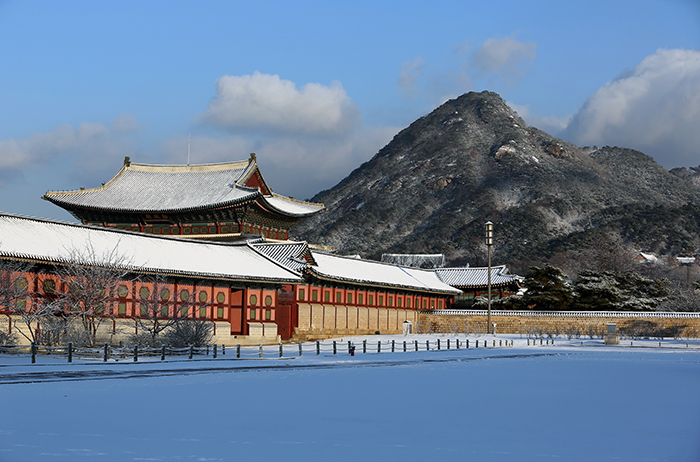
267, 103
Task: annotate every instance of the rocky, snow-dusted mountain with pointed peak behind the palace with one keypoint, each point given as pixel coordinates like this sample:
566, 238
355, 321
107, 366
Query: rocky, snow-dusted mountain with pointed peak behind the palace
432, 188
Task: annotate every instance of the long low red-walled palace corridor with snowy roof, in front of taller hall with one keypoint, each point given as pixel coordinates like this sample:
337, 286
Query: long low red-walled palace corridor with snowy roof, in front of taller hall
252, 291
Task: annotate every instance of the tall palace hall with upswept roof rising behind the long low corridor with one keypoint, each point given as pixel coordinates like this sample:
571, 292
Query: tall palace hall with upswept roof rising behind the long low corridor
221, 202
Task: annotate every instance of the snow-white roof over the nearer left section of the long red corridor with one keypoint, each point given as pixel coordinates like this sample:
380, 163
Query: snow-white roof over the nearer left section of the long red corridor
57, 242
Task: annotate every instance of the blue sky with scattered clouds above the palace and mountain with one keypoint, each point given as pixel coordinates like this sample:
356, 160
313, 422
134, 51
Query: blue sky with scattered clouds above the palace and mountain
317, 88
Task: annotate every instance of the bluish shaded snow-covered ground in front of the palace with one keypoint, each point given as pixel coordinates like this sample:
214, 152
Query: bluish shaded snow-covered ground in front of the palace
563, 402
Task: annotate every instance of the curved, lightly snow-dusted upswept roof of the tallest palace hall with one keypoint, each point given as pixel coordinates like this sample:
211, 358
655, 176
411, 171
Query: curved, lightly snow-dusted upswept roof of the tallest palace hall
175, 188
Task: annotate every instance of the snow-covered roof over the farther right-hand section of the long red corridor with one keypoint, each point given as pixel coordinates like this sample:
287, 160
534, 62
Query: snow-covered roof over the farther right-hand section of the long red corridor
374, 273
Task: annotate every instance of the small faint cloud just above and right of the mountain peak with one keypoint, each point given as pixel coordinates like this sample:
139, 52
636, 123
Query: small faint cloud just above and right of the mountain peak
506, 57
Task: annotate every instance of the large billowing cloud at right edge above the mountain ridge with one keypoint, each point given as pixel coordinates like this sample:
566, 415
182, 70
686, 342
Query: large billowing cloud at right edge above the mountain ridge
655, 108
